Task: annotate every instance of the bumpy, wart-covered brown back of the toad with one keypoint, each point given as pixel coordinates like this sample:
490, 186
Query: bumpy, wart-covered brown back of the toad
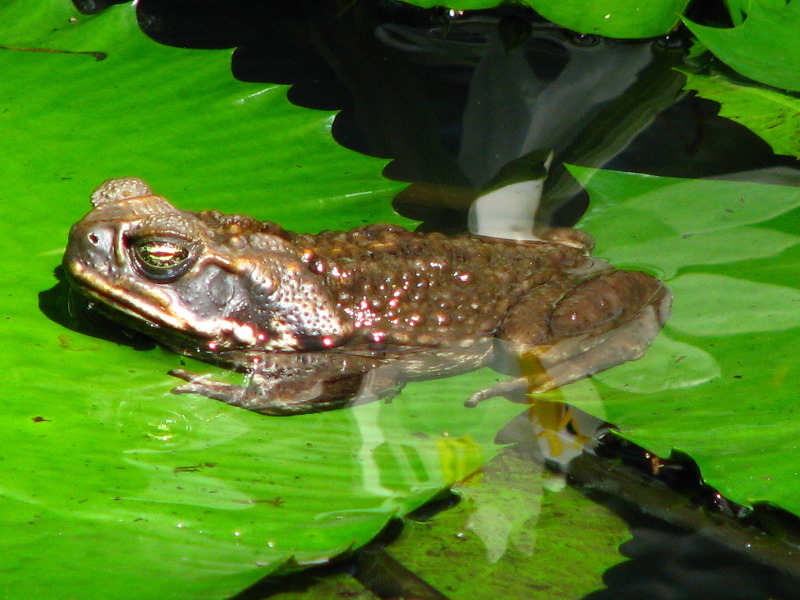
429, 290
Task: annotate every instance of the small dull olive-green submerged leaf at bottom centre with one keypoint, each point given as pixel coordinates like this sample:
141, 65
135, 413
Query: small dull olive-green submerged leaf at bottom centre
515, 518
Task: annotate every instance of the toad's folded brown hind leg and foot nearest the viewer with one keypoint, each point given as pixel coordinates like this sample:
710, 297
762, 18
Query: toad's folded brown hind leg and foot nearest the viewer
603, 322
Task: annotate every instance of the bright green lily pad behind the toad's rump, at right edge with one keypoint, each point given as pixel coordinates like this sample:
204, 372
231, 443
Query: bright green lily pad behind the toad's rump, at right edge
720, 384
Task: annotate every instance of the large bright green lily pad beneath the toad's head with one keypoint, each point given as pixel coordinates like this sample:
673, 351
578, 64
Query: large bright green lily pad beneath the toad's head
108, 480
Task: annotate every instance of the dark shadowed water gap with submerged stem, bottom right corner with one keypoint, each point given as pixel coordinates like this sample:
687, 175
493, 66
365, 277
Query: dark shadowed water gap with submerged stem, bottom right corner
688, 541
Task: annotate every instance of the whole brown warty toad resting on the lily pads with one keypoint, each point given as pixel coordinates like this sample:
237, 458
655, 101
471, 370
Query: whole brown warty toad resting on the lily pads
317, 320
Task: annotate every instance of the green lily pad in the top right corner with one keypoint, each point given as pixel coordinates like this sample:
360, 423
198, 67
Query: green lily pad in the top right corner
763, 47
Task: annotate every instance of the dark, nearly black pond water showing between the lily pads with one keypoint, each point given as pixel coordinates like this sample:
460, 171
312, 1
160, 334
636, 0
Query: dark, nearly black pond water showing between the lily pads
451, 99
